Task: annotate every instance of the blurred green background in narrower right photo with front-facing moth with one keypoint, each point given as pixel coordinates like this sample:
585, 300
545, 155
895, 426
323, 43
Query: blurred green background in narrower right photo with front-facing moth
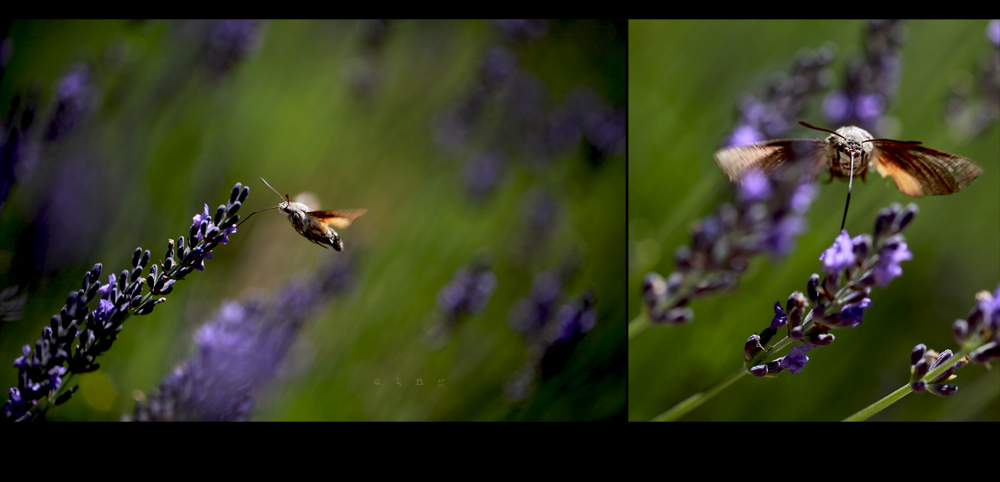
685, 78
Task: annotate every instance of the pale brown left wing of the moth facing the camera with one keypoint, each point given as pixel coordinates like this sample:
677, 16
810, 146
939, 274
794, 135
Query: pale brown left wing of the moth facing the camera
768, 156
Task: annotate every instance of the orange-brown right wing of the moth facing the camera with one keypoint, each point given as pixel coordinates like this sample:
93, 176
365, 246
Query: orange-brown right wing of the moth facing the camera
922, 171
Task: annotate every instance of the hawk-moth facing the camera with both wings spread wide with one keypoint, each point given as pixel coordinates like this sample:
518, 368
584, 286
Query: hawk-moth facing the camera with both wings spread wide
851, 152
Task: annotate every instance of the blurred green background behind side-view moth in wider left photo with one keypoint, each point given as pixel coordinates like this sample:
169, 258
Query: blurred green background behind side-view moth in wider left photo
349, 114
